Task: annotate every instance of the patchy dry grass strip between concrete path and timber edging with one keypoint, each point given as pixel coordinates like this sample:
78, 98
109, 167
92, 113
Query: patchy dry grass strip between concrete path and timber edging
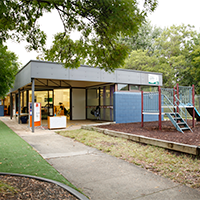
179, 167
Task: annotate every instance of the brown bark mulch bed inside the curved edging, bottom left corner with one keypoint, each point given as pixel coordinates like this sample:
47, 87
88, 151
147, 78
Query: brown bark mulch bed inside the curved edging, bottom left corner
27, 188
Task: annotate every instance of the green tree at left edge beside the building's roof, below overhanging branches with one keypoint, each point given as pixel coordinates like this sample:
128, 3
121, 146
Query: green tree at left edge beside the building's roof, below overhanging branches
8, 70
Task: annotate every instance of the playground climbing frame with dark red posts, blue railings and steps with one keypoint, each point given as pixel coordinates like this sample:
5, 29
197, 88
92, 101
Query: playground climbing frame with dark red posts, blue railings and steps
172, 102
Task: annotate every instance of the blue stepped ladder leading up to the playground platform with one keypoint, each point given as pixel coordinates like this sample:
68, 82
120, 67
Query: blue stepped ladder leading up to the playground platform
178, 121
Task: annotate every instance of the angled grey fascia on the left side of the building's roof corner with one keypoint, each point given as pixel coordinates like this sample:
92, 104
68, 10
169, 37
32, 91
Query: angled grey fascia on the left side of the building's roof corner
22, 78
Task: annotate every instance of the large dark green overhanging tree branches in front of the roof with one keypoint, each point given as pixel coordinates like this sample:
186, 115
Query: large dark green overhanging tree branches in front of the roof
99, 23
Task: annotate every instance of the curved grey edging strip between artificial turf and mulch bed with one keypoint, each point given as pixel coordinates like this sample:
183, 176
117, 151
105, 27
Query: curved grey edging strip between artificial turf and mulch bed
69, 189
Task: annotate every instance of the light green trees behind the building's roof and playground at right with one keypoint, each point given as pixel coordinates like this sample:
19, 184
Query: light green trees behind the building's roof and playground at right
171, 55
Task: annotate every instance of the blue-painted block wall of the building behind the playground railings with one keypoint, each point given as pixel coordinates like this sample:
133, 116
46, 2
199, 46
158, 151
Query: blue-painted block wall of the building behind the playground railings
127, 108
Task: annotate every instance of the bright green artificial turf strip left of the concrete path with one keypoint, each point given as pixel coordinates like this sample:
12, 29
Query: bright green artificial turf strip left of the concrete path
17, 156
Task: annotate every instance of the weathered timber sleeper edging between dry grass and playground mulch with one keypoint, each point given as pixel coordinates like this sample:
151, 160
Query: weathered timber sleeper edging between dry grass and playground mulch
190, 149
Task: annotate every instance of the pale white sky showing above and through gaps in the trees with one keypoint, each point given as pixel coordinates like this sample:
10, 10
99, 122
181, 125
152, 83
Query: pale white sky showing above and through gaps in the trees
167, 13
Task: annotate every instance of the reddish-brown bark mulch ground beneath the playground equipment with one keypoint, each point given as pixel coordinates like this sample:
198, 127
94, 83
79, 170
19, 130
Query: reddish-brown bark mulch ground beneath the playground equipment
168, 131
